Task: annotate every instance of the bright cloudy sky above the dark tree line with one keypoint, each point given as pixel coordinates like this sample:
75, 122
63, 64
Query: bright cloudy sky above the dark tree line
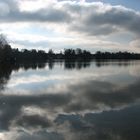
105, 25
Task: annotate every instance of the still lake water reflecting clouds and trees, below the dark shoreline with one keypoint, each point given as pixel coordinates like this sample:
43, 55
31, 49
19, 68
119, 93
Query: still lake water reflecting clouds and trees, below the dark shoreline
70, 101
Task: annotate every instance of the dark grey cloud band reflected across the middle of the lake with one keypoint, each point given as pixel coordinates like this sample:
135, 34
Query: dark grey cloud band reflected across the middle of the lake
87, 96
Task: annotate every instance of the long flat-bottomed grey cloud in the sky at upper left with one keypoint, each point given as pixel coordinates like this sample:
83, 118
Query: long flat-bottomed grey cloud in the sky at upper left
54, 16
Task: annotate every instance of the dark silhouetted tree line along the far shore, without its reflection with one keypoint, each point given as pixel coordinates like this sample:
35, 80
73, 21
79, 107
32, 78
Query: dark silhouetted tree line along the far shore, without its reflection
12, 55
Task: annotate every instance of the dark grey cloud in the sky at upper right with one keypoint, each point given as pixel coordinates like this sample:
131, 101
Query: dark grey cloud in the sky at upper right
119, 17
